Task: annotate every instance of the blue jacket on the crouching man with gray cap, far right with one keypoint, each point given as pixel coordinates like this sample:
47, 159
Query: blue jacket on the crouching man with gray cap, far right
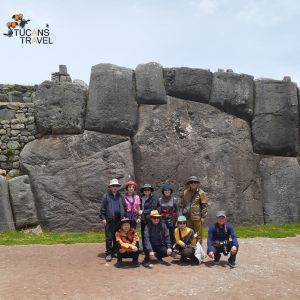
218, 233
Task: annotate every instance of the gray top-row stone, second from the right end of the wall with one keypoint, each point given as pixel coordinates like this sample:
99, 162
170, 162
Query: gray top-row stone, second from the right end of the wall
233, 93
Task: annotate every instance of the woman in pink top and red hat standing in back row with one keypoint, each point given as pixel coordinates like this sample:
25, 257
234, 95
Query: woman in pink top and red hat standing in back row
132, 202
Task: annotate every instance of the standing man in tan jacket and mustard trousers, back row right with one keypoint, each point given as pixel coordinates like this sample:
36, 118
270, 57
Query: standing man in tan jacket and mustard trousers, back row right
194, 206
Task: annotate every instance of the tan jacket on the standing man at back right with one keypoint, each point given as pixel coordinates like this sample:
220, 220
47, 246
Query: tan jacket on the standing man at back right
194, 205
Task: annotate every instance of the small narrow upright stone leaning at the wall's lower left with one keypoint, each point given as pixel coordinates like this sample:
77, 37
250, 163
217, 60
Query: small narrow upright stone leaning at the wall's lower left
22, 201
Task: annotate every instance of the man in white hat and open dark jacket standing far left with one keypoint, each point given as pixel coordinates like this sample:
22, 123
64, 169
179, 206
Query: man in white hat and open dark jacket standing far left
113, 209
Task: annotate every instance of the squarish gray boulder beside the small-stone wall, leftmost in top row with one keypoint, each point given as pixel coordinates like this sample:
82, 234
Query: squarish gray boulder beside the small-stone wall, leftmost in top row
60, 108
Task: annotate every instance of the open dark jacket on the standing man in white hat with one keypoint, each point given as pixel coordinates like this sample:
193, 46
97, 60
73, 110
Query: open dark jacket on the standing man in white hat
107, 211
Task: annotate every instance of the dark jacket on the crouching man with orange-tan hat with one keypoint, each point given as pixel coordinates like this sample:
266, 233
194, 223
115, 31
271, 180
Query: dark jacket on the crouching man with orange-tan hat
156, 235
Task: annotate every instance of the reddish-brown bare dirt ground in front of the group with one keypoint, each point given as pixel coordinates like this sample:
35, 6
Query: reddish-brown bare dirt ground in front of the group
267, 269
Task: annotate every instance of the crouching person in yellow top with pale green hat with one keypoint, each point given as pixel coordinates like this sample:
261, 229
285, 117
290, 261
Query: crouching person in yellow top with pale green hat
186, 241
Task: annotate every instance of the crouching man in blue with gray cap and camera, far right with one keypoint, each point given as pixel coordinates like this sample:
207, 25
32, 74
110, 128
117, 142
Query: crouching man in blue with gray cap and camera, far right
218, 240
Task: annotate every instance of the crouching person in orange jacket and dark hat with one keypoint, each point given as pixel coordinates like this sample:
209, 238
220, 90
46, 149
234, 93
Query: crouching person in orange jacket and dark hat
127, 243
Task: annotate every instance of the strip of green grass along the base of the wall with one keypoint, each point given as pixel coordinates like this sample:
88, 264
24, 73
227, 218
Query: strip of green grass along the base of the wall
50, 238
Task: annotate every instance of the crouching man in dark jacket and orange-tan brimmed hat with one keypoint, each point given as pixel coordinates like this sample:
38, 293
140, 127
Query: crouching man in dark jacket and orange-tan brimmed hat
157, 240
